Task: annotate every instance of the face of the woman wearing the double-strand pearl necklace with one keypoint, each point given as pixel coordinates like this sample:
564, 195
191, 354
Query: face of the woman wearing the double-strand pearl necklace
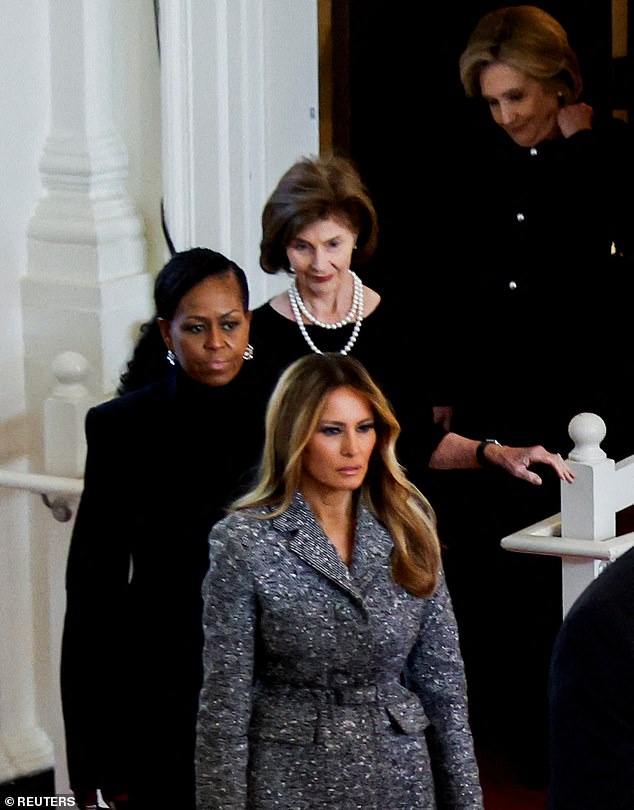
321, 253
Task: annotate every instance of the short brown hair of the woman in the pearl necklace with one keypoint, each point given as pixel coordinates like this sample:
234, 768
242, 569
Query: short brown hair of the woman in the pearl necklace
313, 189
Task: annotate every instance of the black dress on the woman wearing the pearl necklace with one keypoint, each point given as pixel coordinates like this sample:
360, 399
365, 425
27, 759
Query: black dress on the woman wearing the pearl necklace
389, 347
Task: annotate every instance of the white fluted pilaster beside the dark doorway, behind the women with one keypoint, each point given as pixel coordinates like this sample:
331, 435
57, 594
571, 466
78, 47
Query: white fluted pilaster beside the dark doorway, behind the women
240, 105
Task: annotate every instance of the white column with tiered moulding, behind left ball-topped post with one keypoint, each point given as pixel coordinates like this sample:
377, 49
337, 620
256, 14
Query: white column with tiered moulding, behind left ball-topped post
86, 287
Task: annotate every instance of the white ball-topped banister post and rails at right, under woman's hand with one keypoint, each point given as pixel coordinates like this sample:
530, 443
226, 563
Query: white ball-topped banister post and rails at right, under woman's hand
583, 534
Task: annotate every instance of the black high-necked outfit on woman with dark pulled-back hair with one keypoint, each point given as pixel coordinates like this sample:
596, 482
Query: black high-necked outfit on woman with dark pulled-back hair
162, 462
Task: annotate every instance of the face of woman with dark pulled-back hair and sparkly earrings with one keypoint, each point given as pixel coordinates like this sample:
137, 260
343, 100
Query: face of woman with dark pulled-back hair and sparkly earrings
210, 330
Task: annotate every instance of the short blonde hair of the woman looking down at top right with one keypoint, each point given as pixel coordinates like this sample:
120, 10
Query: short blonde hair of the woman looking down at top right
527, 39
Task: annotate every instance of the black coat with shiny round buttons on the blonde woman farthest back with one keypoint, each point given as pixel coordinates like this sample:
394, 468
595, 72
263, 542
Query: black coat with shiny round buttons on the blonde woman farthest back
540, 296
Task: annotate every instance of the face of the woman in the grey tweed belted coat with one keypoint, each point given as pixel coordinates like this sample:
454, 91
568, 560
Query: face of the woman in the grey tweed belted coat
337, 455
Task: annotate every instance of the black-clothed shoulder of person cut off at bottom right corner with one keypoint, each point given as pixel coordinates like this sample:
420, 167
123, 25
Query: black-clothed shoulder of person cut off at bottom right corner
590, 693
